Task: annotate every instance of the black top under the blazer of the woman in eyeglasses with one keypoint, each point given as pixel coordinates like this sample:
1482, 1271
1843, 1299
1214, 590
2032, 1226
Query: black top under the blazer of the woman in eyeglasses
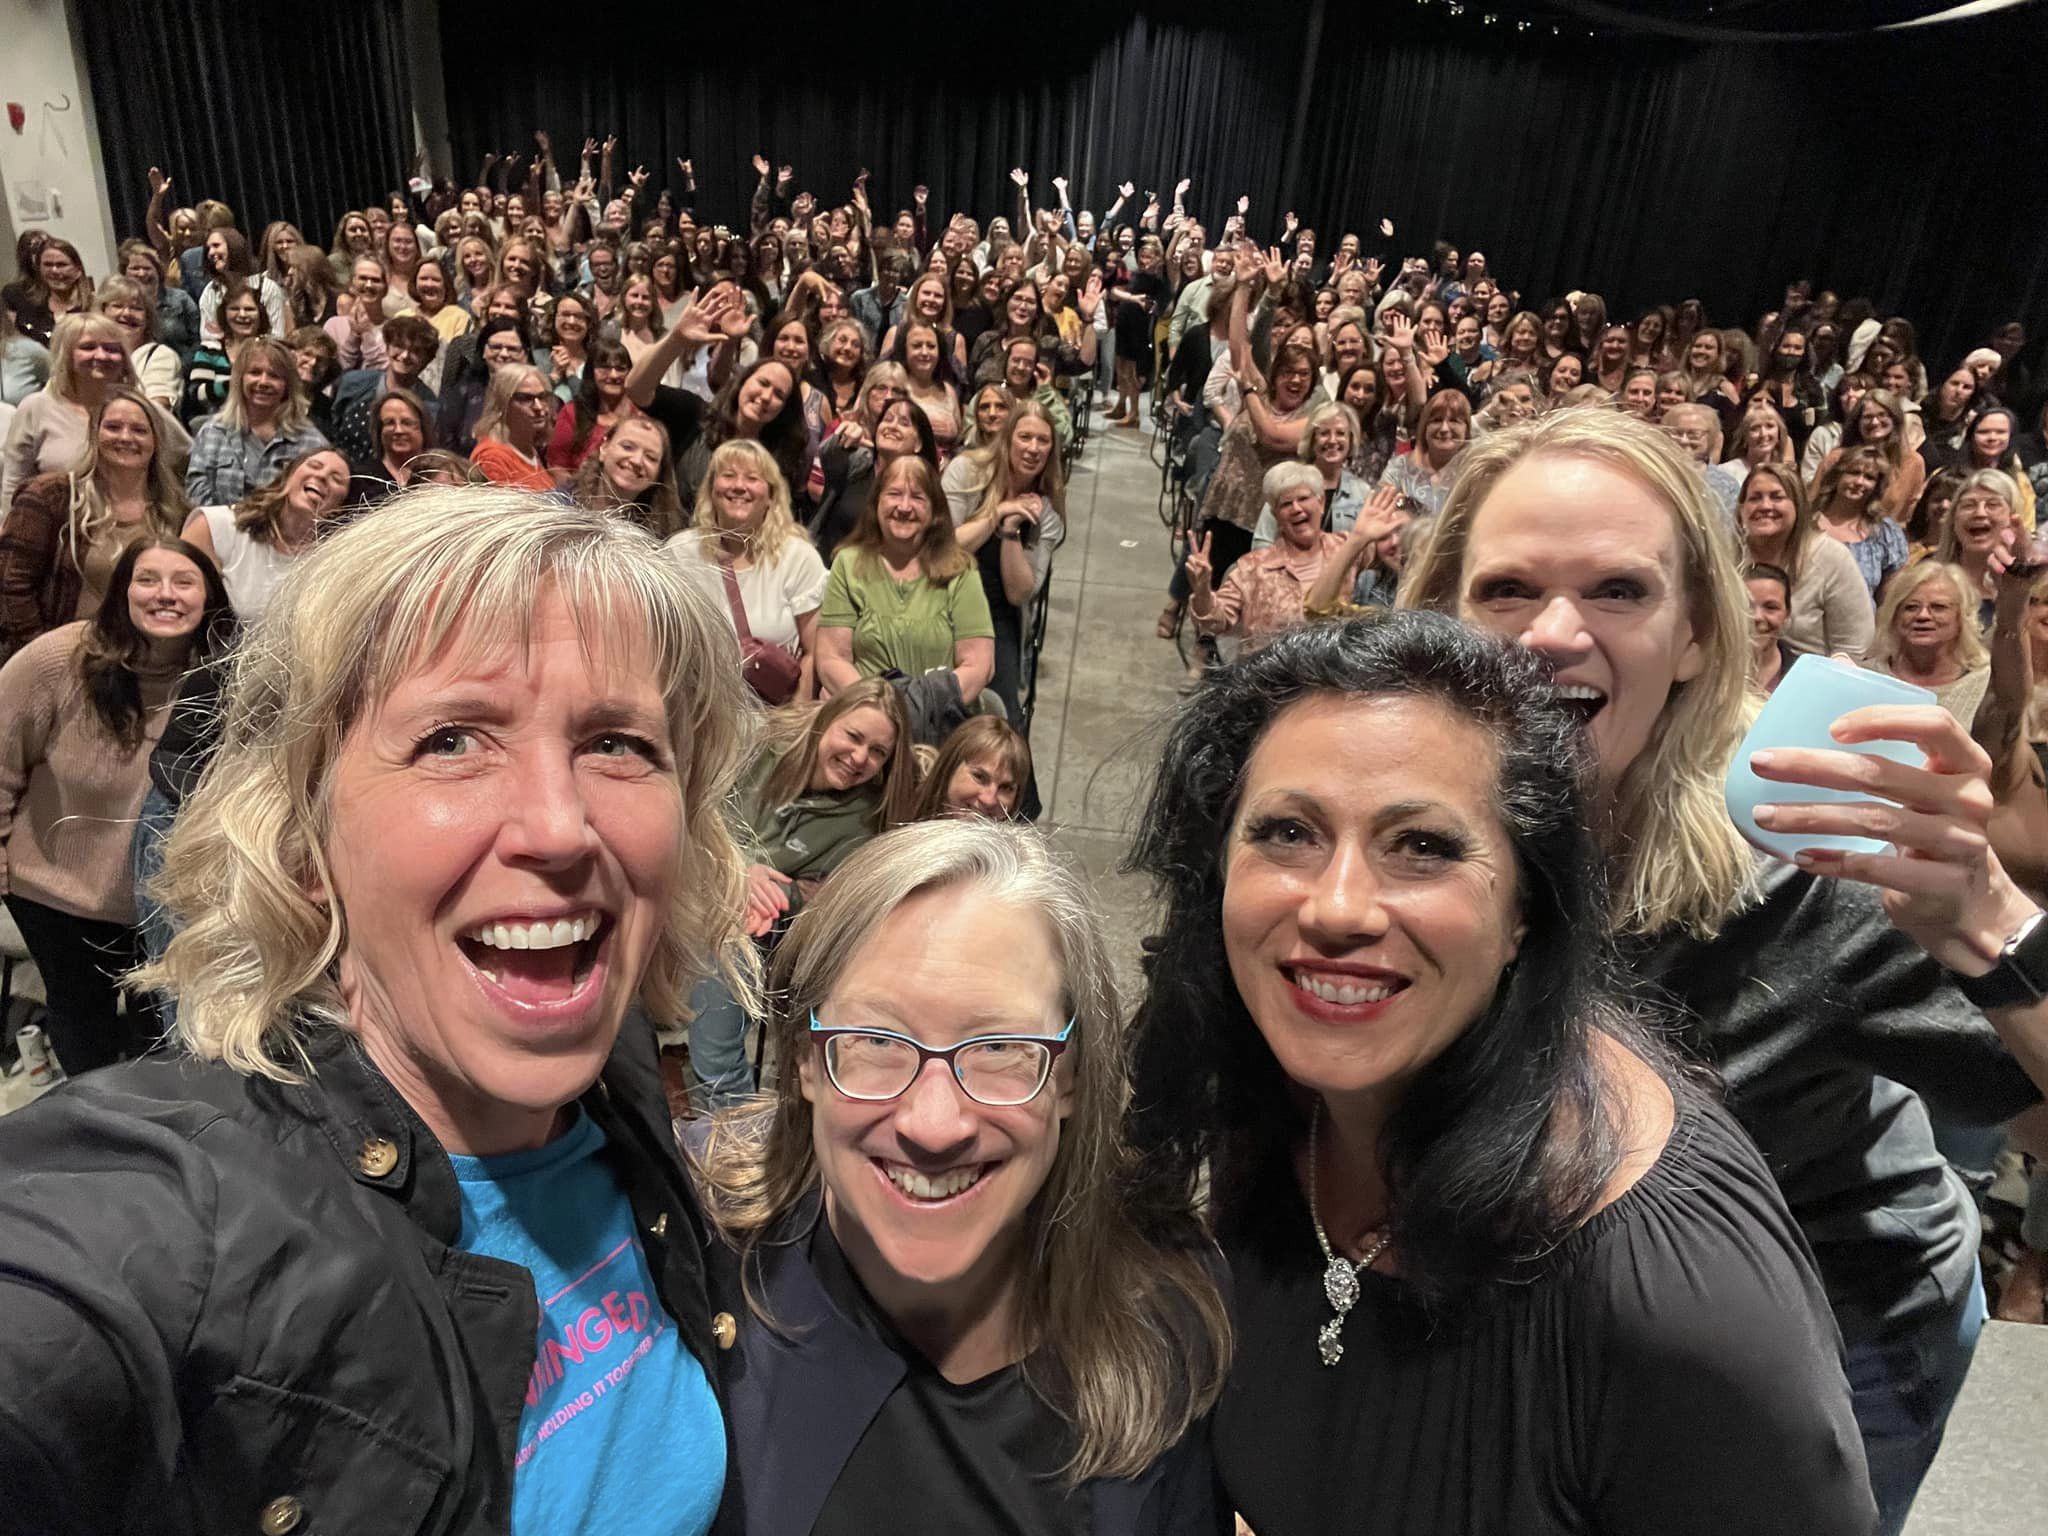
941, 1457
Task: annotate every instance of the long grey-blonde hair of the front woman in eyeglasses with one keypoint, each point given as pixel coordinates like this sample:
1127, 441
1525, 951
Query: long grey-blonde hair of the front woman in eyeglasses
1123, 1334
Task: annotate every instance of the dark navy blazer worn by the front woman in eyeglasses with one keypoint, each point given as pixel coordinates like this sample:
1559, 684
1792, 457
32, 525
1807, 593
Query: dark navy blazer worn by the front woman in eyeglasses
800, 1396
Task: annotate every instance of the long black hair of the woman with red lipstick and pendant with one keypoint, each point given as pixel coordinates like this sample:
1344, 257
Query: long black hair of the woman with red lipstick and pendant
1502, 1144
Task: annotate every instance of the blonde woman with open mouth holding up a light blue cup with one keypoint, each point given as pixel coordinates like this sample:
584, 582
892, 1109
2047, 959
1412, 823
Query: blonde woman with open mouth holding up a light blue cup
1586, 538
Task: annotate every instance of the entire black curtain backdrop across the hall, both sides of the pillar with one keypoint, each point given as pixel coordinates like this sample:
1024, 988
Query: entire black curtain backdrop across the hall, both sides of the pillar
1900, 167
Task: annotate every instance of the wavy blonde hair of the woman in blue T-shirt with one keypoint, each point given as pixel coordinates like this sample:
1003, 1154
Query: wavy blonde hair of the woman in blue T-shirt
439, 570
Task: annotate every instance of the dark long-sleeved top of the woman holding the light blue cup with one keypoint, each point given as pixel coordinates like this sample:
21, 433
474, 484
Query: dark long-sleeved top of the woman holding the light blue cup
1814, 1058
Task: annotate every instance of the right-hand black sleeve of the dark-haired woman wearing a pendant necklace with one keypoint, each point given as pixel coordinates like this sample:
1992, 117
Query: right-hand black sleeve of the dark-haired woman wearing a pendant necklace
1713, 1385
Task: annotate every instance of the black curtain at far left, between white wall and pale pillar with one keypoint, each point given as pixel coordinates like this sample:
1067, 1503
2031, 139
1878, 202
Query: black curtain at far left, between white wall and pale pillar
294, 116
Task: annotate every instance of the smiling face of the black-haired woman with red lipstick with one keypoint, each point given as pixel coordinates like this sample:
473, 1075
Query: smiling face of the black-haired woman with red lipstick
1369, 902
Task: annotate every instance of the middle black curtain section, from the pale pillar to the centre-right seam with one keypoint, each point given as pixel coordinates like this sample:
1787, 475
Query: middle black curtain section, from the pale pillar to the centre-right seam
947, 97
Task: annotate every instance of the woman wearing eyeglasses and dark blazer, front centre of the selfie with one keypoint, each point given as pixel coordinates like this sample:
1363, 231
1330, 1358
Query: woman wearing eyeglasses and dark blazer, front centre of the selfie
949, 1308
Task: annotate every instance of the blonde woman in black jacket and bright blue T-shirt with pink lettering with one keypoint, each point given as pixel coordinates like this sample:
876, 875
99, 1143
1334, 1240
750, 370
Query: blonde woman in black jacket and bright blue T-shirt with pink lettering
413, 1195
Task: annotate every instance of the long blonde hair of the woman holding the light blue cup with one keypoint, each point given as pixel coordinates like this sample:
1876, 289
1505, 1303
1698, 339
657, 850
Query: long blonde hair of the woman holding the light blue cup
1674, 853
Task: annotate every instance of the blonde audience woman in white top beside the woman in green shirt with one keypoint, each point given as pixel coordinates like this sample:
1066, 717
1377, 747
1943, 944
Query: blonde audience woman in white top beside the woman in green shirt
749, 554
